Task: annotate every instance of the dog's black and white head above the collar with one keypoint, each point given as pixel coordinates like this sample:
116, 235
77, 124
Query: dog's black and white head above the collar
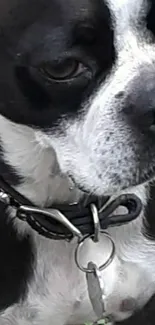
82, 76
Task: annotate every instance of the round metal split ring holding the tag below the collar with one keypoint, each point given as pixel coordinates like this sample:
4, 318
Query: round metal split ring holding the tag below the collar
101, 267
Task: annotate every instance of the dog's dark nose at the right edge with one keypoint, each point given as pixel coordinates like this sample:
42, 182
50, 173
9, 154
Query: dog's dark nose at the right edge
139, 104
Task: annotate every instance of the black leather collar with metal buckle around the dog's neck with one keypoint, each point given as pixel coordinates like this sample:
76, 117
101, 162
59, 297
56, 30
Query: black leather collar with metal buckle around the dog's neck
64, 221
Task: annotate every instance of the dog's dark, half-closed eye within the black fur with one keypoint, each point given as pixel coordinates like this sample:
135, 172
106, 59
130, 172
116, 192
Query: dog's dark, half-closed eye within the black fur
63, 71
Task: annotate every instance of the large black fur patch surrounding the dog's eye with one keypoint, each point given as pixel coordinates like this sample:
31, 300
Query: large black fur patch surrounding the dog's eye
82, 32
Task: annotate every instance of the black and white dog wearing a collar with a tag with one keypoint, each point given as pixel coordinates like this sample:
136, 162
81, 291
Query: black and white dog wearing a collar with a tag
77, 107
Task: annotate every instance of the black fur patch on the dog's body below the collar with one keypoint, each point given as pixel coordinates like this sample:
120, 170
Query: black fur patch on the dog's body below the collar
16, 262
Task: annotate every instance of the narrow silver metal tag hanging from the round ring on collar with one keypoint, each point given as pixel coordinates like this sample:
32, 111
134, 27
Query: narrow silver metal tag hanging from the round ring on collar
95, 290
